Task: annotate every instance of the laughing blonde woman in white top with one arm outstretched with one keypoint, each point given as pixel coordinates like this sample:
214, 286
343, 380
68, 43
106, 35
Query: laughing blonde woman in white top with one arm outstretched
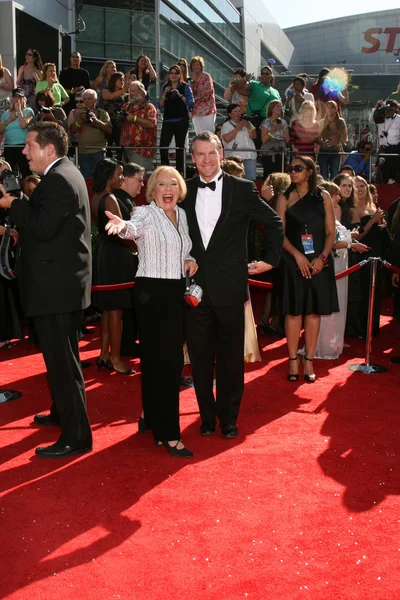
162, 237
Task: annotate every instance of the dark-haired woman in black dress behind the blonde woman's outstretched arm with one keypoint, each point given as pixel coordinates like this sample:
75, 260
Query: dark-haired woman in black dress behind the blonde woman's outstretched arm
113, 262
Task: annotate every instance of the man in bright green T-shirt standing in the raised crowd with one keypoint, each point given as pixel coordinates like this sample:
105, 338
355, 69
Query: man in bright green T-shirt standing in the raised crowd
260, 94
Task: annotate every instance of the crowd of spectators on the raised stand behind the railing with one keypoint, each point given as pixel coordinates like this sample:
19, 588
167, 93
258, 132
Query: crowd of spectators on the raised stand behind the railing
114, 115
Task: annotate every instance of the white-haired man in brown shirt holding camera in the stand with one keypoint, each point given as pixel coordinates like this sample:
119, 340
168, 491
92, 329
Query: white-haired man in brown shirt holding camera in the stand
93, 125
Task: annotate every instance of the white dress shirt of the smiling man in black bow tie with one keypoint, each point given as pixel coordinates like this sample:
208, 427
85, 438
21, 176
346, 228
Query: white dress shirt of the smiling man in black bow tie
208, 208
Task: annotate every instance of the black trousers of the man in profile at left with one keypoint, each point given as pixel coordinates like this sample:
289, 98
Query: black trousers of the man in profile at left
58, 339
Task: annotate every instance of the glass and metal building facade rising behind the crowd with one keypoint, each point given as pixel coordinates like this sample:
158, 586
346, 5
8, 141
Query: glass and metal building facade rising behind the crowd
165, 31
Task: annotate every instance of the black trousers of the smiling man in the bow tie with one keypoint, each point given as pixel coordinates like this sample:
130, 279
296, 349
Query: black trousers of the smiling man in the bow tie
217, 333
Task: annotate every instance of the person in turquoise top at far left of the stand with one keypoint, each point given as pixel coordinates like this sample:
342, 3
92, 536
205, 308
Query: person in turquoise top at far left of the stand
13, 124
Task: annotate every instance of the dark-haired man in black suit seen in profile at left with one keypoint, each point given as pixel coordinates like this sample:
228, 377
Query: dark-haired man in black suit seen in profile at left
54, 276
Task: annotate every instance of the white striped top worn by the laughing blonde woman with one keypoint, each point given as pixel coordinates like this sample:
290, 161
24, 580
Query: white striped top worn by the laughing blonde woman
162, 248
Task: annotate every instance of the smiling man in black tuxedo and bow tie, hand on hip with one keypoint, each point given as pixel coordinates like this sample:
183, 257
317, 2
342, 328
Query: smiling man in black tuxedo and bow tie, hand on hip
219, 208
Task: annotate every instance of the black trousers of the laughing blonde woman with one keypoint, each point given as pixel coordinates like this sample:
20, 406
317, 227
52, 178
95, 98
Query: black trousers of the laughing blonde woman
159, 308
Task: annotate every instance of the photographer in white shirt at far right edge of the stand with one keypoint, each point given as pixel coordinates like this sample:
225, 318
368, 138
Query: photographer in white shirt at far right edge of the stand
385, 116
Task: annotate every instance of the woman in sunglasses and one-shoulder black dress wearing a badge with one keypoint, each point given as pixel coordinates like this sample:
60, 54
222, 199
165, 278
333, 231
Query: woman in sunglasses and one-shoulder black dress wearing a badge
308, 282
